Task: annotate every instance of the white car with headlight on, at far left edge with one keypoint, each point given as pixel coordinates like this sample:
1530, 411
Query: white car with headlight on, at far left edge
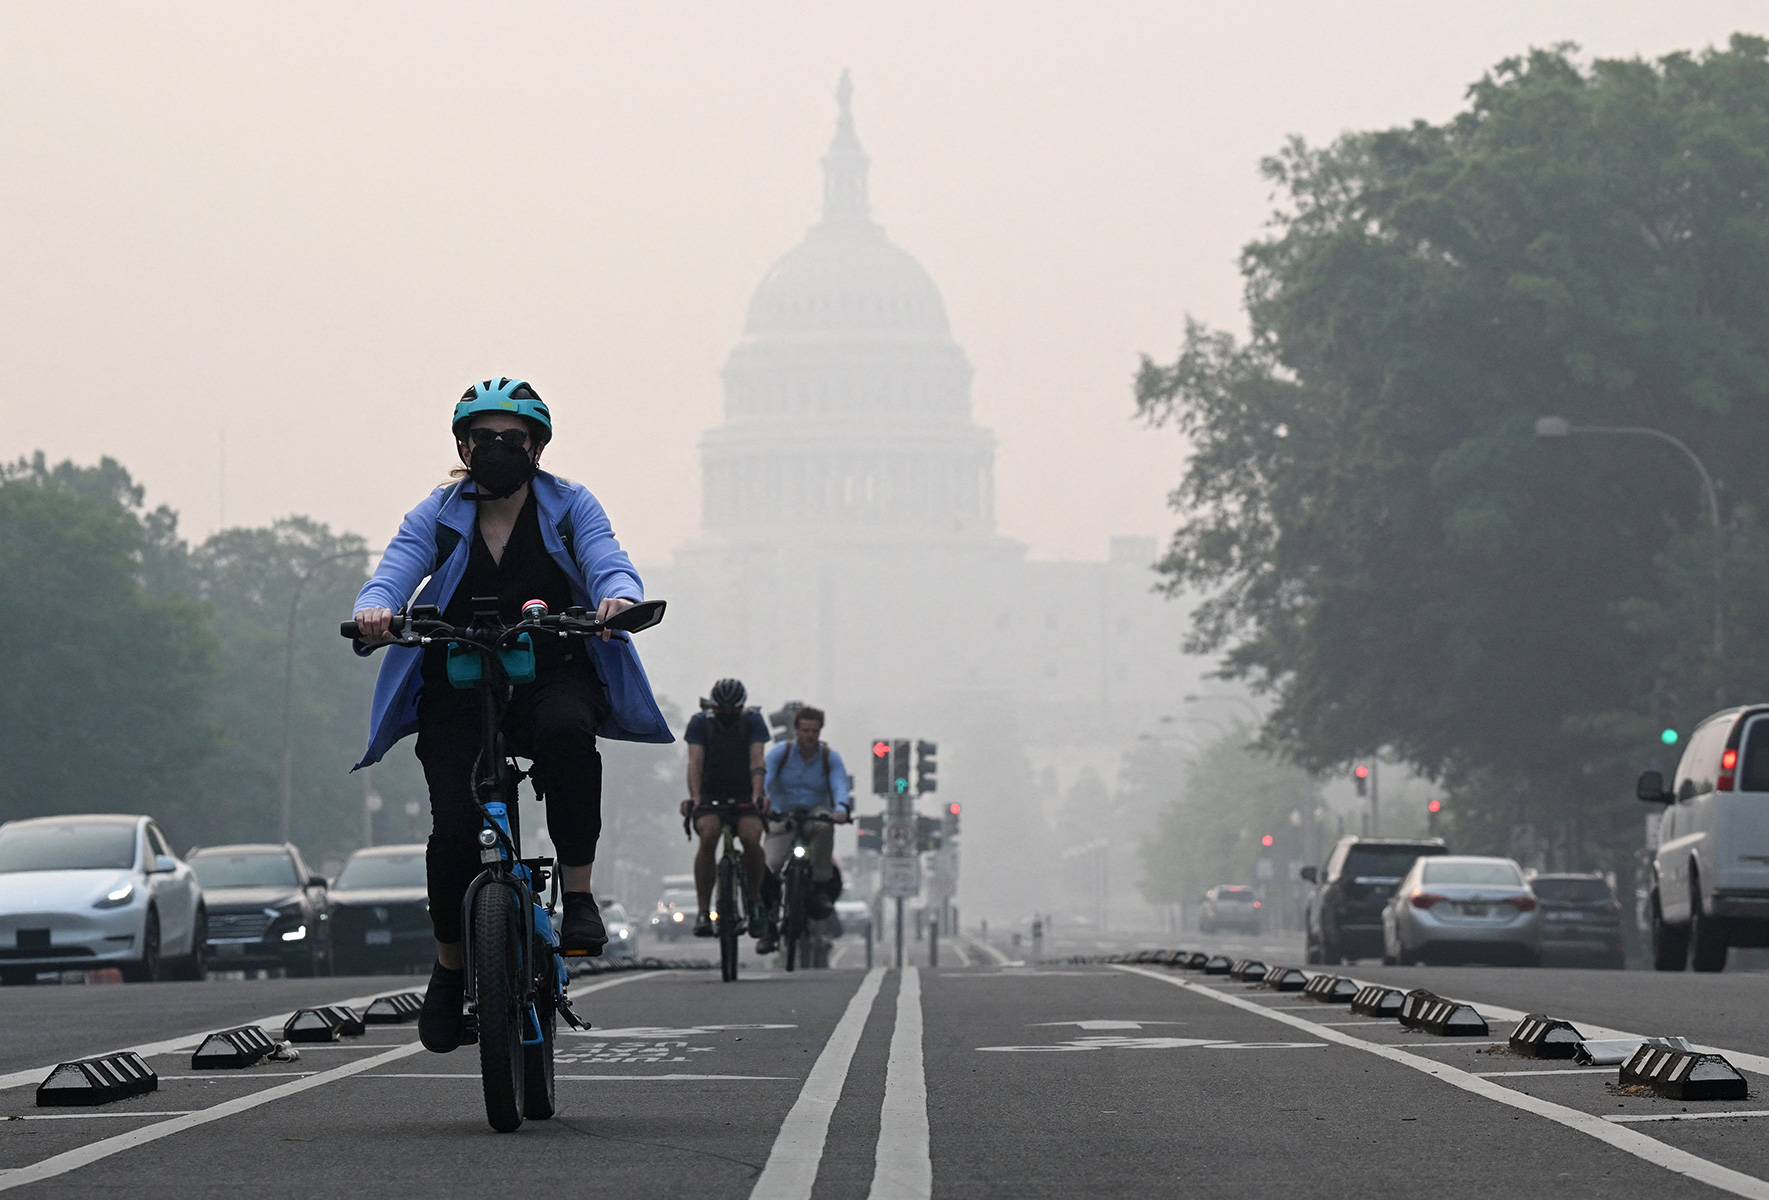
96, 891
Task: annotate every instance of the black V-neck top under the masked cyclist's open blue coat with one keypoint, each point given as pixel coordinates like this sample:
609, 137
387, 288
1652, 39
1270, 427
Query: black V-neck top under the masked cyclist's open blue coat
525, 573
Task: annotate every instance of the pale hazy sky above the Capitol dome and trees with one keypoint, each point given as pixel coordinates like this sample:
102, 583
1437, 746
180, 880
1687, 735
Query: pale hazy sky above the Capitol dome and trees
310, 226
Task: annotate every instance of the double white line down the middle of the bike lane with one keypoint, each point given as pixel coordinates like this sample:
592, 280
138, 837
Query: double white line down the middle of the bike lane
903, 1169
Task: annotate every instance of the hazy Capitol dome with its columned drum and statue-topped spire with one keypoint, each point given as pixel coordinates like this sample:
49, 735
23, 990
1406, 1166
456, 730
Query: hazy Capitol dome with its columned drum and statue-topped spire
848, 404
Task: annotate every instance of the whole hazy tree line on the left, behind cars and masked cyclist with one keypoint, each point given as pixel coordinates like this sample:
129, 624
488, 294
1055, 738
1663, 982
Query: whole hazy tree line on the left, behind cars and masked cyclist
141, 673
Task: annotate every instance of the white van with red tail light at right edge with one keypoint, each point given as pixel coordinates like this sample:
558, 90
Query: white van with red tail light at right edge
1710, 882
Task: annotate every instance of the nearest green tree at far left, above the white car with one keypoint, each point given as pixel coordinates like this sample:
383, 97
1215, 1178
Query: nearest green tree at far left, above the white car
105, 679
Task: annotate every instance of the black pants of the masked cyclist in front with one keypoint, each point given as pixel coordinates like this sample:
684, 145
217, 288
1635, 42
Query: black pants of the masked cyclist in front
553, 723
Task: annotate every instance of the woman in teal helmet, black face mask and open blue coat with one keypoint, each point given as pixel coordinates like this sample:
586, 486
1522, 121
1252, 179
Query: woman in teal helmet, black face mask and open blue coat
500, 535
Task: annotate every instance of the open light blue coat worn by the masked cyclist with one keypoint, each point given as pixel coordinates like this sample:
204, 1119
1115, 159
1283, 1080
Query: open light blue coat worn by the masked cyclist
595, 564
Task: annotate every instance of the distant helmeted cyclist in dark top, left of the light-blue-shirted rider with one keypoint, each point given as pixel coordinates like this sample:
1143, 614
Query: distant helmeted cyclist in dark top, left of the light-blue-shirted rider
726, 781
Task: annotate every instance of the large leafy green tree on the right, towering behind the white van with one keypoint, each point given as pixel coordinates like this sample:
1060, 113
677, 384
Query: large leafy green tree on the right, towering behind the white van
1384, 544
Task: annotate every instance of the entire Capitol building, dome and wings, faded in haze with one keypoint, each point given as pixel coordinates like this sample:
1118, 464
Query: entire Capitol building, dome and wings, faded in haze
850, 555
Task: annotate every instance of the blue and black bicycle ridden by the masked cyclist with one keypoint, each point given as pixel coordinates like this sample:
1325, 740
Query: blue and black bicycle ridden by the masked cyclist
516, 974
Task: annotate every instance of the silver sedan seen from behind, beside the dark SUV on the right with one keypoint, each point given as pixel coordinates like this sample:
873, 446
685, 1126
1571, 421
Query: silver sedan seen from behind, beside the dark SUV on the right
1460, 909
